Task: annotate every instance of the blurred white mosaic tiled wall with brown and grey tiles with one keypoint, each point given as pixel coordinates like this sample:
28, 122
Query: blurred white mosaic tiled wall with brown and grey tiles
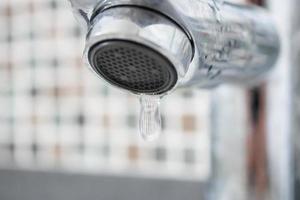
55, 114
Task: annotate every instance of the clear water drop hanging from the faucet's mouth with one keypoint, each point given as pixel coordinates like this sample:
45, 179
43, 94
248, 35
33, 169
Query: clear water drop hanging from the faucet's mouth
150, 118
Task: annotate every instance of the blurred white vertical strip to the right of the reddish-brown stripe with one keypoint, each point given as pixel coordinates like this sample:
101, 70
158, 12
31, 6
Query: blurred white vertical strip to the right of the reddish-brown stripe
279, 110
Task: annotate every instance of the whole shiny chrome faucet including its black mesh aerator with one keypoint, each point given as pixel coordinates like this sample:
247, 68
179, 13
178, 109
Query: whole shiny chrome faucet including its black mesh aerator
152, 47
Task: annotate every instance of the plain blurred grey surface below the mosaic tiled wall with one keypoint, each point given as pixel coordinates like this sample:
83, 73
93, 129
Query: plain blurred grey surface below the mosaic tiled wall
18, 185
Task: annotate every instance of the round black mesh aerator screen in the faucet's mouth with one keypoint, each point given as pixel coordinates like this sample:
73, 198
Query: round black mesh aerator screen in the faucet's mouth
133, 66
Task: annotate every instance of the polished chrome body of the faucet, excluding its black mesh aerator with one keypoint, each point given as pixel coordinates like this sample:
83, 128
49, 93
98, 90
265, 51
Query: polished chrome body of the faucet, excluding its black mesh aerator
237, 43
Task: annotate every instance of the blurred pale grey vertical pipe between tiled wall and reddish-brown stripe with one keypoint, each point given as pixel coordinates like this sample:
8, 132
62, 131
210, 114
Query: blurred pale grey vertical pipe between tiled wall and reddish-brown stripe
229, 134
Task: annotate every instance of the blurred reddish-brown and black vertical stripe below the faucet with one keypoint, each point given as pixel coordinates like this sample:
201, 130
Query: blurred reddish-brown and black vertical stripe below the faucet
258, 180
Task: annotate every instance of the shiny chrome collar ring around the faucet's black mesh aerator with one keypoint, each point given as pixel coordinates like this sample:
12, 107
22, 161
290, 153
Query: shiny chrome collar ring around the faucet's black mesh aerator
144, 27
